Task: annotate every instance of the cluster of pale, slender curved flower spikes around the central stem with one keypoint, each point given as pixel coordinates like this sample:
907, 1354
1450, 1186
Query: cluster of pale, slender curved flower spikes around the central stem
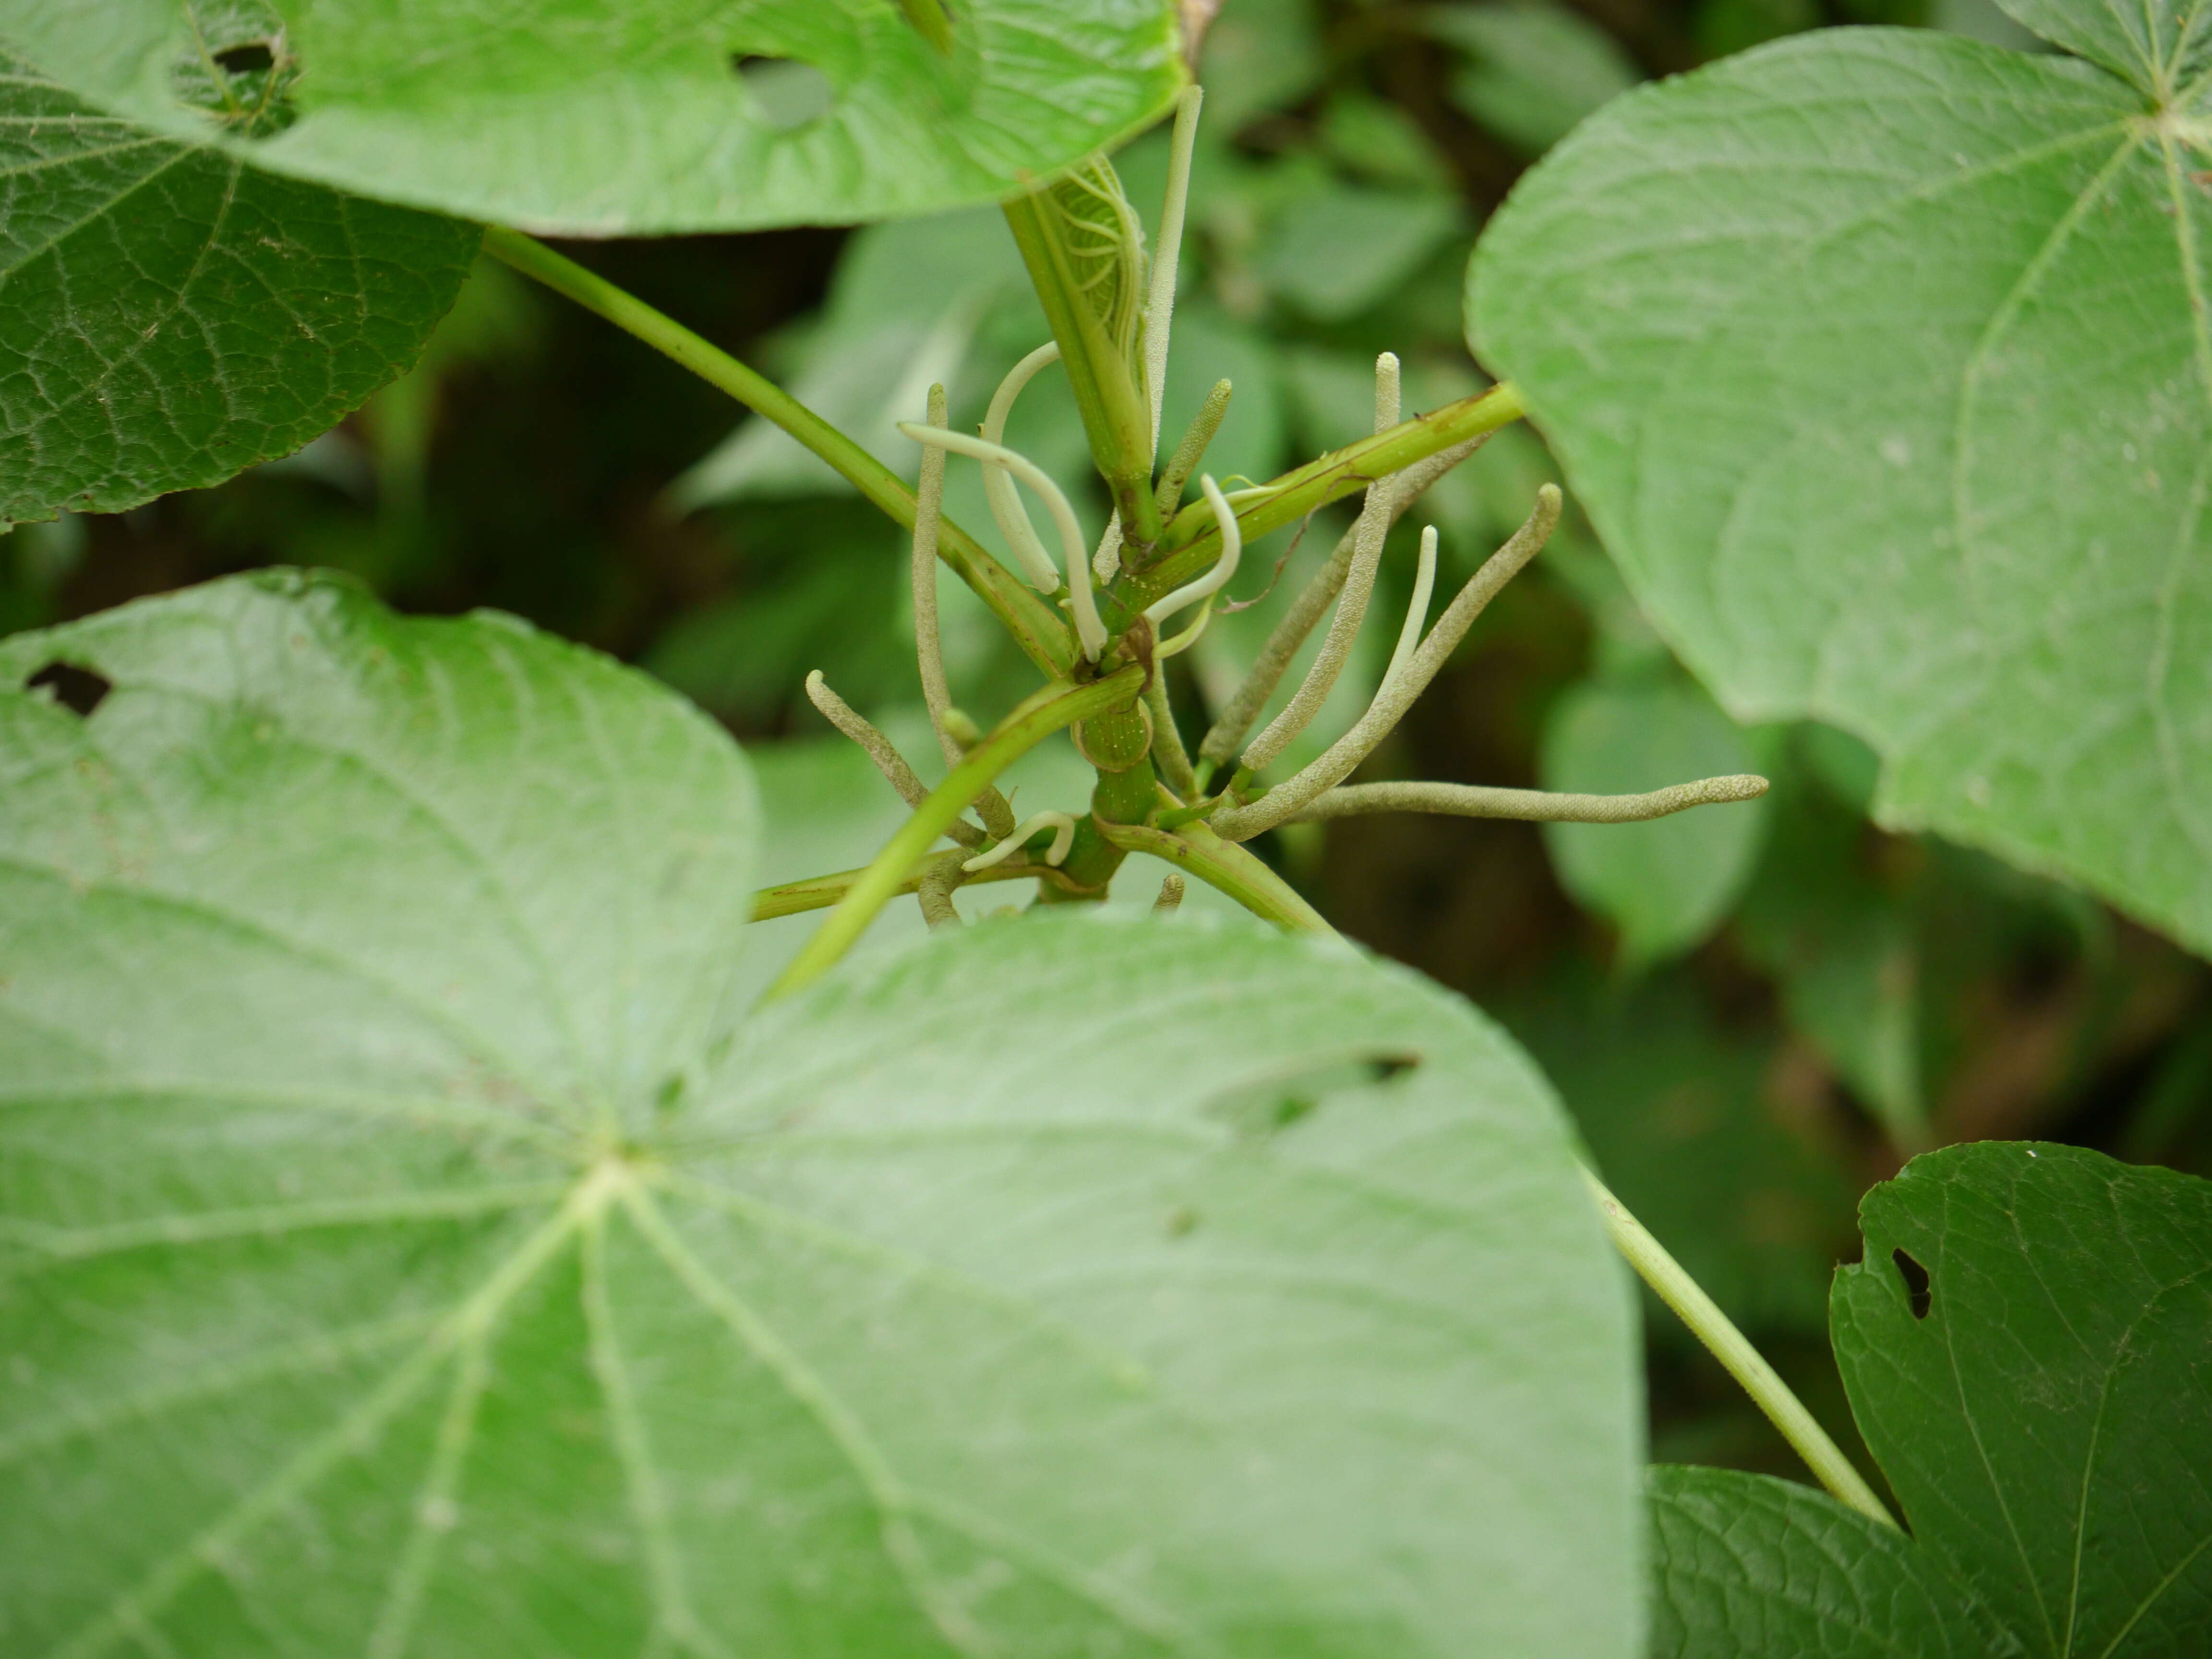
1107, 242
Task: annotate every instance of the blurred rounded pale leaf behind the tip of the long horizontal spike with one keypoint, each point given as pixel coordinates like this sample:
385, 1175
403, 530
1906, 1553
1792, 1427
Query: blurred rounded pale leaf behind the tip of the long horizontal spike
1665, 884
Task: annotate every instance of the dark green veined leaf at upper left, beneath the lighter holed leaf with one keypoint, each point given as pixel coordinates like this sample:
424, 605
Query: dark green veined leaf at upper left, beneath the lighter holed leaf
171, 317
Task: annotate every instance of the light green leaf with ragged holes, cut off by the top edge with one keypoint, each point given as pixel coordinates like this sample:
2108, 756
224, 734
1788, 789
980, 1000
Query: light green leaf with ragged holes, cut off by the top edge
640, 116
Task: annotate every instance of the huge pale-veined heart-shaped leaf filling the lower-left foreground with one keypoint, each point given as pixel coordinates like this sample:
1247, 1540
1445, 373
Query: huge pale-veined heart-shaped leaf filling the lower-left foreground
410, 1251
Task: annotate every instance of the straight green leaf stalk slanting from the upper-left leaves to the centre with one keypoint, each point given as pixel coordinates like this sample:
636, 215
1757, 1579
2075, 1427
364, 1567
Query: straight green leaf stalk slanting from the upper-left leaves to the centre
1034, 625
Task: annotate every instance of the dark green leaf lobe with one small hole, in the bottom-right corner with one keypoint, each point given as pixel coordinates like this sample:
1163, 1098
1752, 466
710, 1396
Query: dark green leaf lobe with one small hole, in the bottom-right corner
2030, 1353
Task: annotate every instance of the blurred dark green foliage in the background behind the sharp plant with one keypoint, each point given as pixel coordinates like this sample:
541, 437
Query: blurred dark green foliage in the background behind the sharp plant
1753, 1012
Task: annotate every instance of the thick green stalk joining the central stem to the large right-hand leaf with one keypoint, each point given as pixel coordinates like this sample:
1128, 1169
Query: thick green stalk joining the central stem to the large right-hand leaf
1193, 541
